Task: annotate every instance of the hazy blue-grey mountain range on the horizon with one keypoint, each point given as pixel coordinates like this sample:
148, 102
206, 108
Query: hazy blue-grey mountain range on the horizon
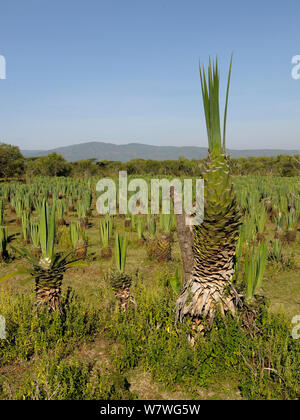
126, 152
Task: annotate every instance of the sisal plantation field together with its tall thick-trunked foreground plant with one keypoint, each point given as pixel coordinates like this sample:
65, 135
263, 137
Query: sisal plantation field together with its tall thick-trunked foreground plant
149, 305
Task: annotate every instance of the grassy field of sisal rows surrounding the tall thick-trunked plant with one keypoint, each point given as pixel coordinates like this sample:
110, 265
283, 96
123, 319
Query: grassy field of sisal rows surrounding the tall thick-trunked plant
95, 296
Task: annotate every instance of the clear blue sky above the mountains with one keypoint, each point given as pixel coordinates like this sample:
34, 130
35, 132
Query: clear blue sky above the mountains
127, 71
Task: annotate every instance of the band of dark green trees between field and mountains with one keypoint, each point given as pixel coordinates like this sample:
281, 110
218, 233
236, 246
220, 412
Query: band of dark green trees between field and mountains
14, 165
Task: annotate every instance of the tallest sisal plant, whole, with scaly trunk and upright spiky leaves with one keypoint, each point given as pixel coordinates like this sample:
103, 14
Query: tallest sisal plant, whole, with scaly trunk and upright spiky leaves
209, 284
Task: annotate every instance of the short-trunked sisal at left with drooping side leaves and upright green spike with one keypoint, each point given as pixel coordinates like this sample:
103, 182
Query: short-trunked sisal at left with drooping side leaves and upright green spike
48, 271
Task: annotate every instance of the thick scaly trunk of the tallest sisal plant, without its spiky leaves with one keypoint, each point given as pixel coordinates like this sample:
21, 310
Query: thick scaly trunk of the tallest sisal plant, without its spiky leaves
208, 251
